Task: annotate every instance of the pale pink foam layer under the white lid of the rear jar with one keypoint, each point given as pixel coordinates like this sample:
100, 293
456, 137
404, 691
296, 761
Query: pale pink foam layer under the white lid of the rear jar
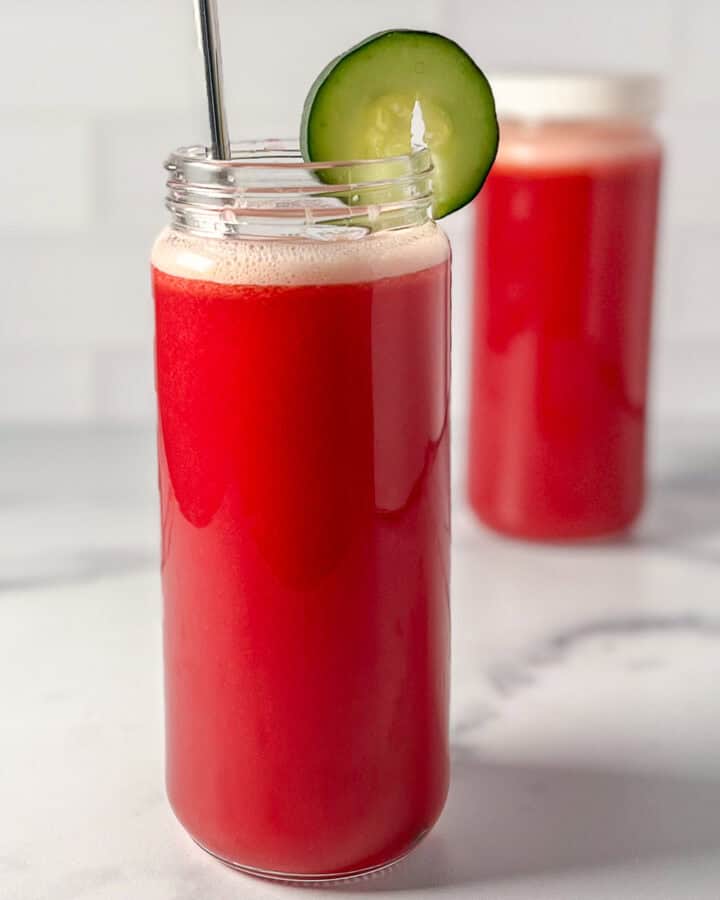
557, 145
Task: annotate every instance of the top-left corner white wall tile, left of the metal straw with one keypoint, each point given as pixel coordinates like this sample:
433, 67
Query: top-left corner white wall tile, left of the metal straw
90, 56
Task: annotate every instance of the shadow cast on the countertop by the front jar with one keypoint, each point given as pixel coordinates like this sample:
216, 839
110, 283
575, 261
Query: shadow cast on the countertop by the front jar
512, 821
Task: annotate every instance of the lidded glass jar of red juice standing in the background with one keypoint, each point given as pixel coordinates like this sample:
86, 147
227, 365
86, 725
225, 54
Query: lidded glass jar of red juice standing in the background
564, 259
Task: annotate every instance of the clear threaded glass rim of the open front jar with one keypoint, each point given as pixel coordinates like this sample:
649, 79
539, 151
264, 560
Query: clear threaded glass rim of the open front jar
269, 184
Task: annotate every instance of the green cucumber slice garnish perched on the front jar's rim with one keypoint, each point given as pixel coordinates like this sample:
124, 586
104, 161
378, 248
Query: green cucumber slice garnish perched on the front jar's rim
361, 106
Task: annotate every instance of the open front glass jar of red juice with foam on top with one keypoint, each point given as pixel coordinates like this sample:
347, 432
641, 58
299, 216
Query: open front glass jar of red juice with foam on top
302, 362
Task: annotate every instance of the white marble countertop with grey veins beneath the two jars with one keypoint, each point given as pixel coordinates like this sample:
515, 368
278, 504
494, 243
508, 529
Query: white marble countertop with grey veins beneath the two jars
586, 734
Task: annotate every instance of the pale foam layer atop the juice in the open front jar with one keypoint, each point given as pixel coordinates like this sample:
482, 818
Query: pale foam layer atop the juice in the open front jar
297, 261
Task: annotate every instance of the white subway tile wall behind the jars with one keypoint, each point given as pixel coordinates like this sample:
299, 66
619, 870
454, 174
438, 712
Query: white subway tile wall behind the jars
93, 95
